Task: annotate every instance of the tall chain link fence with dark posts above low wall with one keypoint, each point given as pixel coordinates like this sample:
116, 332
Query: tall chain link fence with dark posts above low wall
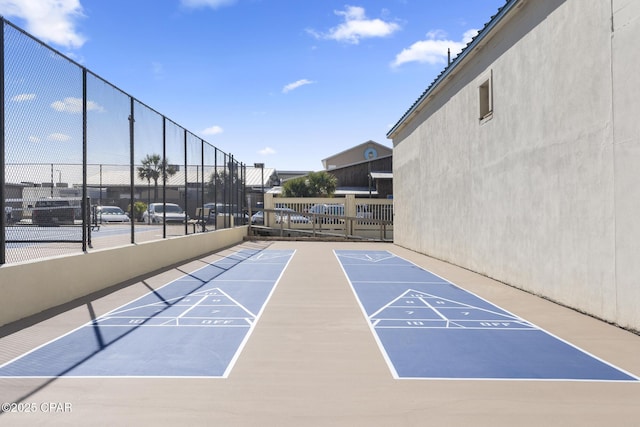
84, 165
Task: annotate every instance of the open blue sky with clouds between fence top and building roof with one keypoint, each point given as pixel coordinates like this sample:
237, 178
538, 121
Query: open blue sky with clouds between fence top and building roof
283, 82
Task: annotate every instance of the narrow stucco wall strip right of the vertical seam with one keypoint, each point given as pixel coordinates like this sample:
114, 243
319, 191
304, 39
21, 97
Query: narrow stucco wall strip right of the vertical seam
626, 112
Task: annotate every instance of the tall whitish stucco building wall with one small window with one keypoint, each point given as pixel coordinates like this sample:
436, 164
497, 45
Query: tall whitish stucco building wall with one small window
543, 195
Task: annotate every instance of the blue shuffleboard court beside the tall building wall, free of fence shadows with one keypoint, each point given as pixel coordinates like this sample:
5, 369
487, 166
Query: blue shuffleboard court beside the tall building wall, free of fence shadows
427, 327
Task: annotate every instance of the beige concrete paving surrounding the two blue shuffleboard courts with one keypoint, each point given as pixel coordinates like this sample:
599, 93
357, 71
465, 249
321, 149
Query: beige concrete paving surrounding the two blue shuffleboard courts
313, 361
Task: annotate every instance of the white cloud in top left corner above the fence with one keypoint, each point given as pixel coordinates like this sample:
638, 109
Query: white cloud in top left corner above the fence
53, 21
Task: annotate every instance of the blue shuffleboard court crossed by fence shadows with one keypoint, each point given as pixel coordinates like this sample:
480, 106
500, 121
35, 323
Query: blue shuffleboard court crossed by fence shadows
195, 326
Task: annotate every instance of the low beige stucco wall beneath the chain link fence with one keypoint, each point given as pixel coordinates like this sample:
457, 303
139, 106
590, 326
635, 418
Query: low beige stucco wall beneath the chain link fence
30, 288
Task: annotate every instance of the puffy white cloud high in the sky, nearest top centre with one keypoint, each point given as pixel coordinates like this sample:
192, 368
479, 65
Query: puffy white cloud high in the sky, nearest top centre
357, 26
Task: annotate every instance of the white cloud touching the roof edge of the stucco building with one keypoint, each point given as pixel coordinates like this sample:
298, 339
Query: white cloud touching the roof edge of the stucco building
433, 50
